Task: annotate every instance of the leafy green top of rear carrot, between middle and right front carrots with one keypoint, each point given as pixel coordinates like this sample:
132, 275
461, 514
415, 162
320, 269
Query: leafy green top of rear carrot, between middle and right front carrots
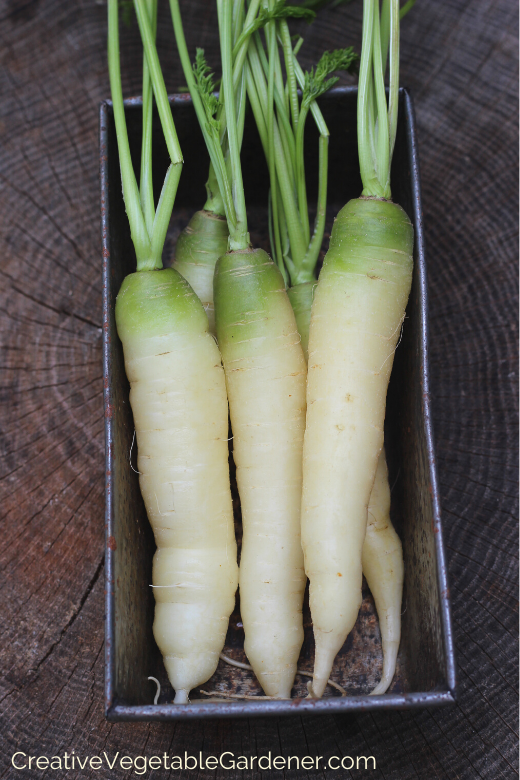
280, 117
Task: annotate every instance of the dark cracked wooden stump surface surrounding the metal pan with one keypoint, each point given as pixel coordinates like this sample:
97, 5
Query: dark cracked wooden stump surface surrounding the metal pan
459, 58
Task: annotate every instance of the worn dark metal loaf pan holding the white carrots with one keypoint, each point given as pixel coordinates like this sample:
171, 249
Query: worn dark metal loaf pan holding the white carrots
426, 668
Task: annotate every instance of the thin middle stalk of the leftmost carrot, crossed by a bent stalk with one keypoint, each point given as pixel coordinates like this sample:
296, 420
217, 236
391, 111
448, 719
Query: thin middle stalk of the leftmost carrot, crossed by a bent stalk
146, 179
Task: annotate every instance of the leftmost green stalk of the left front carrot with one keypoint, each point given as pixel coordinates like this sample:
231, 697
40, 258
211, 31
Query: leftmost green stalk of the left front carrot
138, 231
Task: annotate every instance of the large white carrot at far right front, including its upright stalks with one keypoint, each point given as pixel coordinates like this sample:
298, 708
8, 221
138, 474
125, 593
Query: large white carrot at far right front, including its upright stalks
358, 310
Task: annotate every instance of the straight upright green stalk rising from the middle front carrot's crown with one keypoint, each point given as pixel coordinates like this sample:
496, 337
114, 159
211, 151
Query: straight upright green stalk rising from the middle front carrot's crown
238, 235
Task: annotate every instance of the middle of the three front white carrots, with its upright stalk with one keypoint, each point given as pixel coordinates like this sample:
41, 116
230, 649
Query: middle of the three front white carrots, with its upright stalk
265, 377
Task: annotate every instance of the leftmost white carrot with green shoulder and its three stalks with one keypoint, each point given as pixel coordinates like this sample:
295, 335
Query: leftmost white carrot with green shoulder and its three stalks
179, 404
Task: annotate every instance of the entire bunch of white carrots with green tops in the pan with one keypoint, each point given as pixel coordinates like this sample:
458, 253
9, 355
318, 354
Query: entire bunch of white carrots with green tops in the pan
299, 364
